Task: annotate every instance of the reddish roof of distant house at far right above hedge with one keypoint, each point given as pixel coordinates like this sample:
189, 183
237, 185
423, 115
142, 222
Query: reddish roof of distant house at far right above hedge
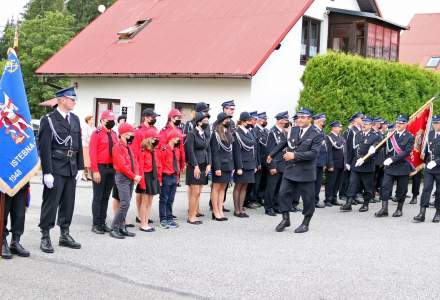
422, 40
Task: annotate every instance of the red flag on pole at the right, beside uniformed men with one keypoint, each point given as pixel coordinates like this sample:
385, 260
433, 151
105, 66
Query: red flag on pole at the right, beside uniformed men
419, 127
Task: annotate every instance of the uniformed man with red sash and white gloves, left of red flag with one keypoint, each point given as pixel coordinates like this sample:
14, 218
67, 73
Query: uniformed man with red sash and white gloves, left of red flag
397, 167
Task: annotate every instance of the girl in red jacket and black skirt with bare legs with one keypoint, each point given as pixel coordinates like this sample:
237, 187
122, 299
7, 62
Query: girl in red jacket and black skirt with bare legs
151, 168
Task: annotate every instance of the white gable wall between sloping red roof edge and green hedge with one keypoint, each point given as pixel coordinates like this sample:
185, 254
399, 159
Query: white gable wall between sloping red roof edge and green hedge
276, 86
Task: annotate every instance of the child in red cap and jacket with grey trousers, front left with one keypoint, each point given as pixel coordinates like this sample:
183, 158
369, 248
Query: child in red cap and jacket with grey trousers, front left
127, 174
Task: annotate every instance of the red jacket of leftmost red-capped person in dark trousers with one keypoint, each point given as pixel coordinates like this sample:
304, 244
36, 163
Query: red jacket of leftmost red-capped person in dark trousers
99, 148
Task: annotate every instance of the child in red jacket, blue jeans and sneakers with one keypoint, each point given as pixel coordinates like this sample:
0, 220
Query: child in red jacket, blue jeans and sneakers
172, 166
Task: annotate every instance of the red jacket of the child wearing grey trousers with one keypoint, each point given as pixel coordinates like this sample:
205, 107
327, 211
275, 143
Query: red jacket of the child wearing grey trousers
122, 161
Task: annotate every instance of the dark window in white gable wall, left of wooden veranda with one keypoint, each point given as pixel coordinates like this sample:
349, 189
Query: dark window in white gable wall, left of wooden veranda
309, 39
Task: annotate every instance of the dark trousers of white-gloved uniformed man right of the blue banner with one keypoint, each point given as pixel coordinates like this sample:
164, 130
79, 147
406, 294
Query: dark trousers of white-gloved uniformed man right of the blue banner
61, 199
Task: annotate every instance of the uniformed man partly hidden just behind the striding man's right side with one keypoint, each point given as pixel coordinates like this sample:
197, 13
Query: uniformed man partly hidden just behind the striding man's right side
321, 166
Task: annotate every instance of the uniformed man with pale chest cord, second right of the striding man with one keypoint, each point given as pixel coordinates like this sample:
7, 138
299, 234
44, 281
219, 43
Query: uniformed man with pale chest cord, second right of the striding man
335, 145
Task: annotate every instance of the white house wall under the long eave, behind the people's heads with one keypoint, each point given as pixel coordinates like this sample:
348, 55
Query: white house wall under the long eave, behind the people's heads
162, 92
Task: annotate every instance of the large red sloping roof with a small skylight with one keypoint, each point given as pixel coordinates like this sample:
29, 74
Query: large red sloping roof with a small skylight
208, 38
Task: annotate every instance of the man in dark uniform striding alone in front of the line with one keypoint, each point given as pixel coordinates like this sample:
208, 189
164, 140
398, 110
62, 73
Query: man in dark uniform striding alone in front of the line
303, 143
